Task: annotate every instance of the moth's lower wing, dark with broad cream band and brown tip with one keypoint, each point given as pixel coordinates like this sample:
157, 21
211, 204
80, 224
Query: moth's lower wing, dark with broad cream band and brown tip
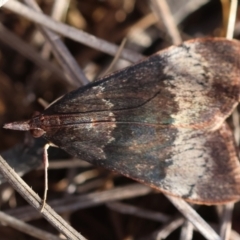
201, 167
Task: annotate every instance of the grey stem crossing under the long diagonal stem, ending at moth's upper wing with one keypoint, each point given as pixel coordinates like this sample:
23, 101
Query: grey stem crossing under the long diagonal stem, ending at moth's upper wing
64, 57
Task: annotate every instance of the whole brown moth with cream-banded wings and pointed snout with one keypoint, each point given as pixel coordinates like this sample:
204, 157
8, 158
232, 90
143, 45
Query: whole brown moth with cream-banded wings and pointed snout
160, 121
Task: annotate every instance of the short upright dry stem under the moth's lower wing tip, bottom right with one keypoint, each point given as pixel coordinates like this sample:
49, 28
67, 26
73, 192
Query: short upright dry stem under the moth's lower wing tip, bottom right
226, 221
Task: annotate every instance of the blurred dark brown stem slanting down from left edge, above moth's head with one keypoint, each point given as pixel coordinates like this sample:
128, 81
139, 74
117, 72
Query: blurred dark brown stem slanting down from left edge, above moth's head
20, 46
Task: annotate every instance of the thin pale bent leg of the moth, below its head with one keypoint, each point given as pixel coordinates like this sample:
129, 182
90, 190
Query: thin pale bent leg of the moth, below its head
46, 165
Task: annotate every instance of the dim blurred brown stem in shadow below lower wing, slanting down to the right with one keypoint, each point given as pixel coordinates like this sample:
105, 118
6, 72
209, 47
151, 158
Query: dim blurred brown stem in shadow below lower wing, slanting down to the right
139, 212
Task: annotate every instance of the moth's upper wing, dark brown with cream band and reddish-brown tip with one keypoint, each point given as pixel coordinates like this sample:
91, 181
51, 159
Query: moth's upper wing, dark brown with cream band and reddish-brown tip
193, 84
